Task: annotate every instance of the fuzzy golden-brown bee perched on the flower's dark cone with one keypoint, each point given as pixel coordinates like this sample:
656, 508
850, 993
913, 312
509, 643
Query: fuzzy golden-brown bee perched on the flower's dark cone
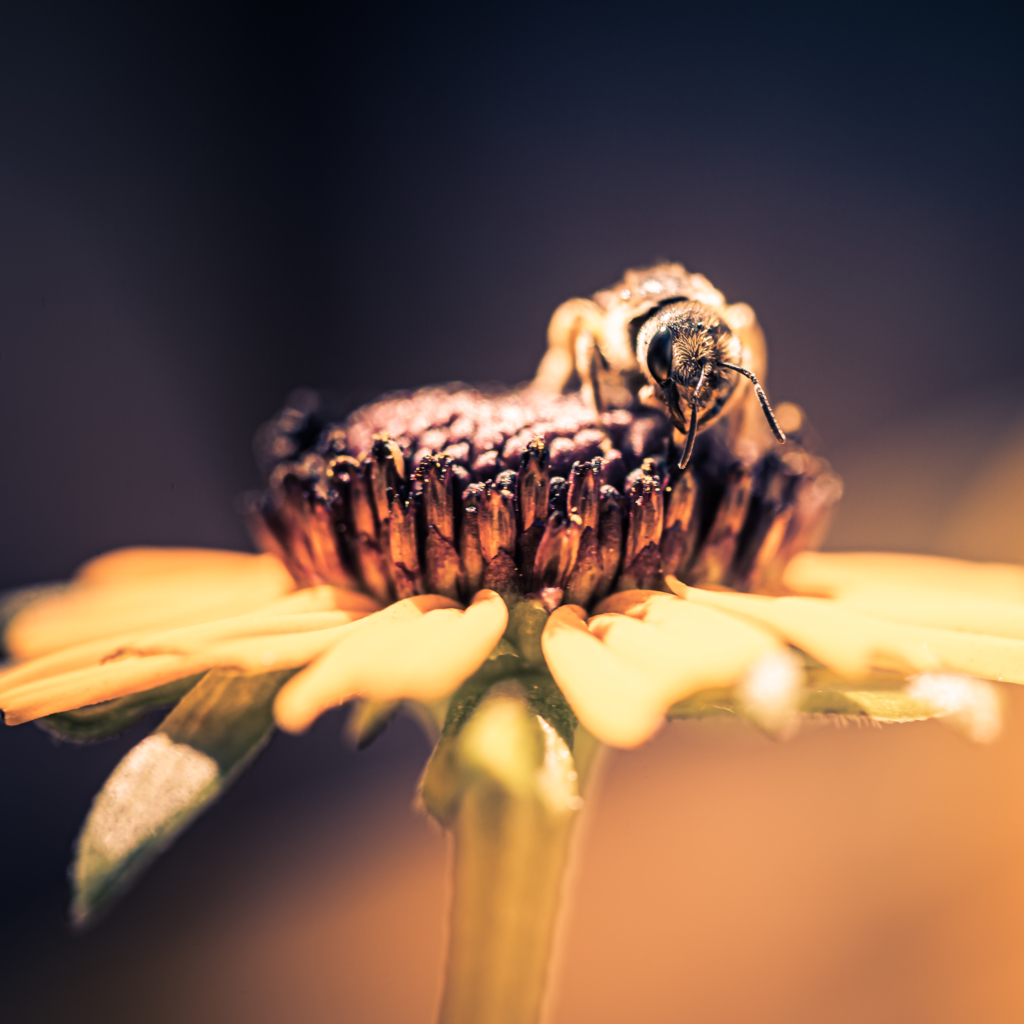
667, 337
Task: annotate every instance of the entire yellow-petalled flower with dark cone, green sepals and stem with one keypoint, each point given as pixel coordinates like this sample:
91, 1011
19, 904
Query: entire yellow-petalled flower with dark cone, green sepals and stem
533, 580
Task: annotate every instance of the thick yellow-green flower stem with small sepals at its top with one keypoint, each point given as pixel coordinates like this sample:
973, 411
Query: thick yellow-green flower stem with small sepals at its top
508, 788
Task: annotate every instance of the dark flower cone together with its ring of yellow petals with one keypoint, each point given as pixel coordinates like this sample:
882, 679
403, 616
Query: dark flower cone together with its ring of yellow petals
538, 500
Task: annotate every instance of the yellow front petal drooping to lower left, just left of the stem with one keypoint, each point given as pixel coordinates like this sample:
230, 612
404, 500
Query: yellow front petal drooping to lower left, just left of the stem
421, 649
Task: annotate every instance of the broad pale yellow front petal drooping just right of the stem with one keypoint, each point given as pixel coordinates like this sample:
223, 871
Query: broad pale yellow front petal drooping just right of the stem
622, 672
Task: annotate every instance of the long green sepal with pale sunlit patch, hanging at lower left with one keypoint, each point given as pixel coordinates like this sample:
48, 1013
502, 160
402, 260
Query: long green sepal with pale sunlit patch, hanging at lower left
169, 779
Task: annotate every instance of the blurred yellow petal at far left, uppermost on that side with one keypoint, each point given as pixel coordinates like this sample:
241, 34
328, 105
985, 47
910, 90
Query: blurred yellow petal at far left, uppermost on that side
157, 601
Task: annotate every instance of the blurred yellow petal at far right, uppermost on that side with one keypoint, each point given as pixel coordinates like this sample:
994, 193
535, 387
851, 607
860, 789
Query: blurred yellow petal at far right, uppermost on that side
833, 574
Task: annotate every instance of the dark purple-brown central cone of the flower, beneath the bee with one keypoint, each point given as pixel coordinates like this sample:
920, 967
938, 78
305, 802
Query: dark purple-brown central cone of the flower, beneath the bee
450, 491
